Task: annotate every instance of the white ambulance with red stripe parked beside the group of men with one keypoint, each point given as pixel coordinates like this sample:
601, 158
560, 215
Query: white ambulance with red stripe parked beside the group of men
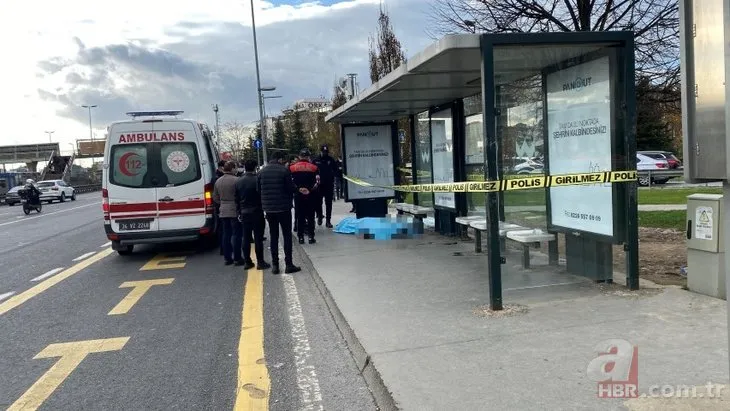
157, 180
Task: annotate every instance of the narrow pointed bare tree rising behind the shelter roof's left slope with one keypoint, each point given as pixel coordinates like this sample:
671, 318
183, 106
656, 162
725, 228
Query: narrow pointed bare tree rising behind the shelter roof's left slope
385, 51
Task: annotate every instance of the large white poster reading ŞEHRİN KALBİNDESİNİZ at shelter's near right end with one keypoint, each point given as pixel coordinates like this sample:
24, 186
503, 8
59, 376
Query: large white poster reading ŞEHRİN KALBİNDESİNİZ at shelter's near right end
579, 141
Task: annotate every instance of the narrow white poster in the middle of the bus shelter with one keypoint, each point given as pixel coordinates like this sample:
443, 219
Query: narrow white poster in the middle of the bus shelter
442, 156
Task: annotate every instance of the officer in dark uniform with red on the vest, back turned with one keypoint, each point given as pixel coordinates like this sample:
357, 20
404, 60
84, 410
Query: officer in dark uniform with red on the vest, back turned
305, 175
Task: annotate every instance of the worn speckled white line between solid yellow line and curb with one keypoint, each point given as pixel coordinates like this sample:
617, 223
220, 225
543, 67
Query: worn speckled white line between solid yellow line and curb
307, 380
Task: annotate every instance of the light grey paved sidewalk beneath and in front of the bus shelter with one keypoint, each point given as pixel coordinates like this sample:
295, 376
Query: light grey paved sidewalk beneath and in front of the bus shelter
408, 309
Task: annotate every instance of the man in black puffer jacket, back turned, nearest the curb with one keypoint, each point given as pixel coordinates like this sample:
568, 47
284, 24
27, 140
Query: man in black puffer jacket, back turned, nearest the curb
277, 188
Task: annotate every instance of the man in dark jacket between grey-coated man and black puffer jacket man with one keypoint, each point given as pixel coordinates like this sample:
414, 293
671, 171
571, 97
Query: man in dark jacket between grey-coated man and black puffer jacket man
251, 216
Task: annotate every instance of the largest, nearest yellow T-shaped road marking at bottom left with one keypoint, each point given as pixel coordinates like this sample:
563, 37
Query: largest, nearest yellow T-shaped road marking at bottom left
71, 353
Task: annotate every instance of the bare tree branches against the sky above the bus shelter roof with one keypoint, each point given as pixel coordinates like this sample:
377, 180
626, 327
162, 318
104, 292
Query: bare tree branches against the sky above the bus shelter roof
655, 24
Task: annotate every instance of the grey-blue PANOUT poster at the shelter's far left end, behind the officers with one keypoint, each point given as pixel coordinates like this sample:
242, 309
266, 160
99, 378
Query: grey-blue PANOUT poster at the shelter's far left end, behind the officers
369, 157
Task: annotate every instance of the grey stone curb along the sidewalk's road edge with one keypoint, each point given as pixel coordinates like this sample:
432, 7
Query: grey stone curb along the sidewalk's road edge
382, 396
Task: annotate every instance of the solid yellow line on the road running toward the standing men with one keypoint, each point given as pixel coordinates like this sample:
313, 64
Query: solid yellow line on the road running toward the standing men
253, 389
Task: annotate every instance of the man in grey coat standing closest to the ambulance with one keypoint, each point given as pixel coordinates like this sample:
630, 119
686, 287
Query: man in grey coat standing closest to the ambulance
224, 195
